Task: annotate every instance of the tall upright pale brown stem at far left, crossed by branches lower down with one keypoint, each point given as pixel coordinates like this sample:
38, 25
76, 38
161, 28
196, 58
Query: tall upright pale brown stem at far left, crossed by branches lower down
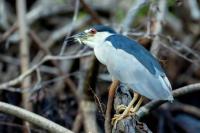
24, 53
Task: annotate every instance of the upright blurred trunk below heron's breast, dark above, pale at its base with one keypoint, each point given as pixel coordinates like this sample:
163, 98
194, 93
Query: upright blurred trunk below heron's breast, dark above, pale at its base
87, 83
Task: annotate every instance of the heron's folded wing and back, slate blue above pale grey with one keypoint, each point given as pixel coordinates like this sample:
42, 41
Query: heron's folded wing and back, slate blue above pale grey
137, 68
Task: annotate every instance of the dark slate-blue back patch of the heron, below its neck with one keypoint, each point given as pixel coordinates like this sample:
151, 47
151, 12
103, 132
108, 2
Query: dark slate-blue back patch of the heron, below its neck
138, 51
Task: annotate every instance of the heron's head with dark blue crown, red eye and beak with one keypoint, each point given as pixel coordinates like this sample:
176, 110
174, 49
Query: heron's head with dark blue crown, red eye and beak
93, 36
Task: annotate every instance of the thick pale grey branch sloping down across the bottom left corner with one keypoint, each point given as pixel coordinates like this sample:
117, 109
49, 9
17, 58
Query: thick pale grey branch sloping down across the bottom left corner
32, 118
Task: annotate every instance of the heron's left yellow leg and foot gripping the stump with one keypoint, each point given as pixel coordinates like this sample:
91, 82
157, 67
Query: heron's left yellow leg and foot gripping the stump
127, 110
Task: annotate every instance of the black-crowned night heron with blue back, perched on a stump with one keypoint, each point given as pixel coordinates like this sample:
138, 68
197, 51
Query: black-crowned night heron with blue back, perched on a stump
128, 62
